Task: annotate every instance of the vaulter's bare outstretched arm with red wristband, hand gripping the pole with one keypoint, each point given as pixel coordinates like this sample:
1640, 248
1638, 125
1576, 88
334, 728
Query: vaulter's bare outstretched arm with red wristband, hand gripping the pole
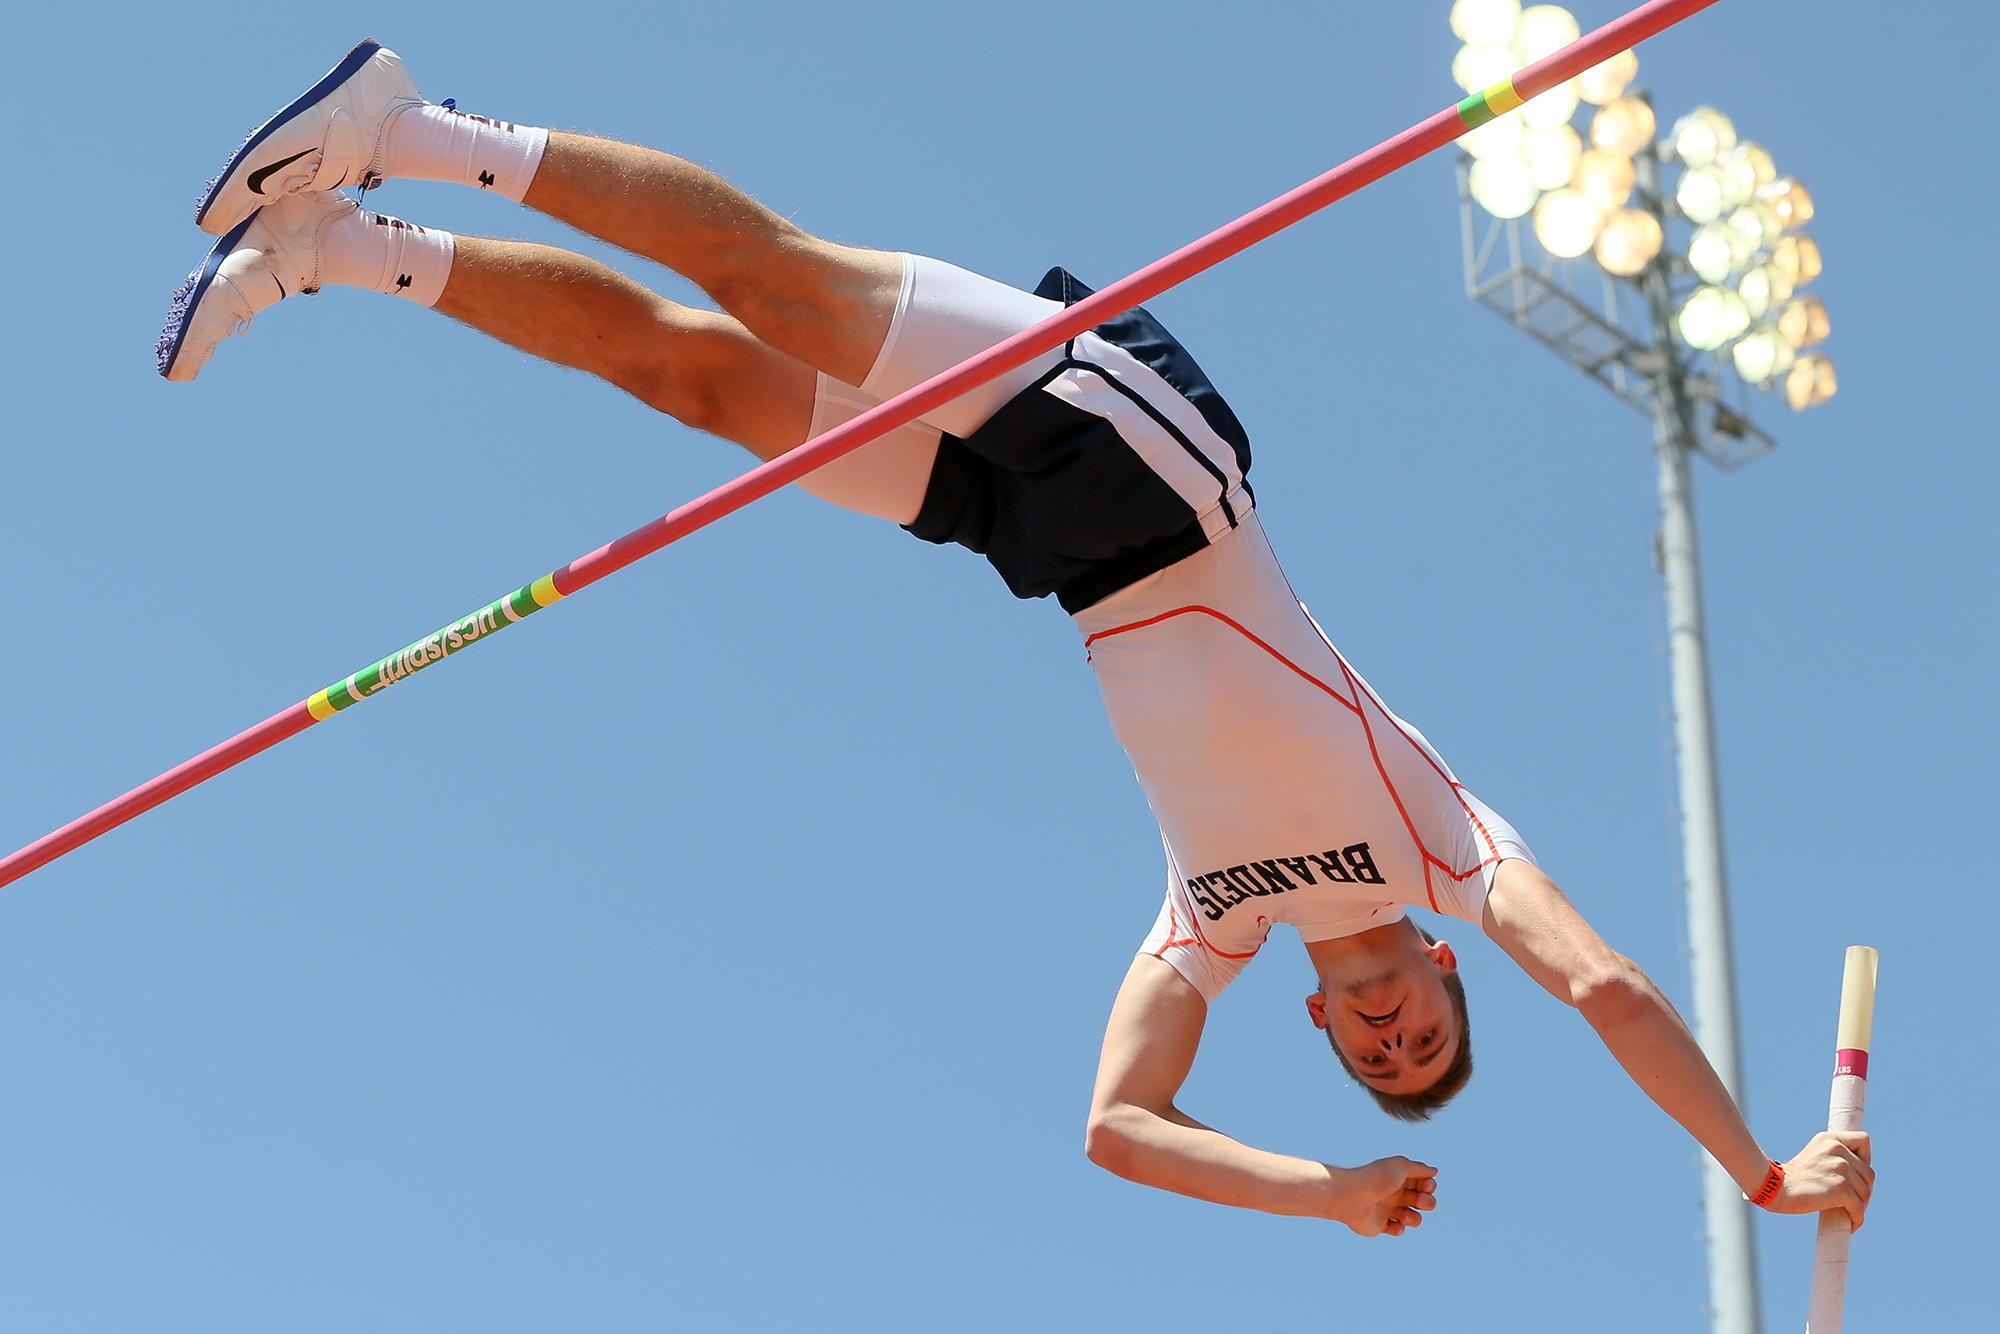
1531, 919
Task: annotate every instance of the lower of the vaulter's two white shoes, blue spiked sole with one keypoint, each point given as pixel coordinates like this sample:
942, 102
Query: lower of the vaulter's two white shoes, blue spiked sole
271, 255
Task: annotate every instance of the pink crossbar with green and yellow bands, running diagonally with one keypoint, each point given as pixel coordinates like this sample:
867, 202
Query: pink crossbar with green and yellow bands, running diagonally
901, 411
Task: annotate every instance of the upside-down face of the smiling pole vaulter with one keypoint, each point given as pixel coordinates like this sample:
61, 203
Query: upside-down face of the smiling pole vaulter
1395, 1025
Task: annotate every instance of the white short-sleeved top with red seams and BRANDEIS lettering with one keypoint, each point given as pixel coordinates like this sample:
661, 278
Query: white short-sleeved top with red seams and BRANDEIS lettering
1283, 785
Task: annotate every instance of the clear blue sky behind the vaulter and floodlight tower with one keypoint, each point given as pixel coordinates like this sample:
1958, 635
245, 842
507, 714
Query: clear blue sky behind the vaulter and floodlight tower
729, 949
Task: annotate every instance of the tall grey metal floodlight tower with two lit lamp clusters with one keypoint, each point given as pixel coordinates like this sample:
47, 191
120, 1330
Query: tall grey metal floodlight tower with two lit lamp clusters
1663, 327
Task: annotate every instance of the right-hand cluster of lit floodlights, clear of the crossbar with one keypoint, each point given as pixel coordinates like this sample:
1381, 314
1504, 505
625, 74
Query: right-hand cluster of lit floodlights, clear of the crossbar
1753, 261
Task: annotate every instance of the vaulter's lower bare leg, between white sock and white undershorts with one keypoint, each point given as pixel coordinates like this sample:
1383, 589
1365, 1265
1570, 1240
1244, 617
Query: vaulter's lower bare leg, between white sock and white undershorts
695, 365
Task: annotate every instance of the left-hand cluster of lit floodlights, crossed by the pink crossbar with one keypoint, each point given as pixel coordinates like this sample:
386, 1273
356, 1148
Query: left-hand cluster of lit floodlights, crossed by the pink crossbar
1535, 161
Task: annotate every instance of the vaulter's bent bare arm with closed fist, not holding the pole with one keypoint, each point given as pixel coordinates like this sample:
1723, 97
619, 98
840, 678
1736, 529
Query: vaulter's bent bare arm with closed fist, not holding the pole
1141, 1135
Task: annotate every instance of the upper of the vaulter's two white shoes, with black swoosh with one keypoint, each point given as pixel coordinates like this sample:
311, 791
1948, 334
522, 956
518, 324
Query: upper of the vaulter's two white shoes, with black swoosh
327, 139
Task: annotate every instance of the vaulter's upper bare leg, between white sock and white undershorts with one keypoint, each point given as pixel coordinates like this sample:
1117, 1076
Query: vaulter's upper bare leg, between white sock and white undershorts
821, 303
